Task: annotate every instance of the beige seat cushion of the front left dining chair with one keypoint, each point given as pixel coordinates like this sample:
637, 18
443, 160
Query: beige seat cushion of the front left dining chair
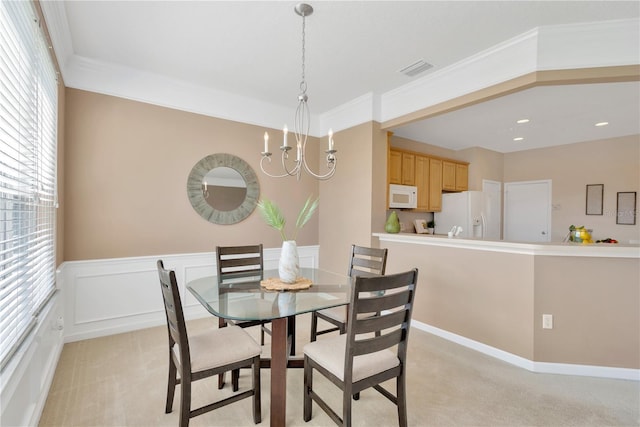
217, 347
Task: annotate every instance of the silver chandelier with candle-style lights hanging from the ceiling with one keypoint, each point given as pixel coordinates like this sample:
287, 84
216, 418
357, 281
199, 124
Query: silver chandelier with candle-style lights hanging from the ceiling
301, 128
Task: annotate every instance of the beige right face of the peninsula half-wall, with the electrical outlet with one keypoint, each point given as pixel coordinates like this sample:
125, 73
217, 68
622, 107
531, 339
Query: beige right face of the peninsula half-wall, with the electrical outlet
595, 303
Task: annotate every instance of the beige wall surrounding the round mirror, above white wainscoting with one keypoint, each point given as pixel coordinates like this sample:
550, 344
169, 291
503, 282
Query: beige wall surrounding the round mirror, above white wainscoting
125, 172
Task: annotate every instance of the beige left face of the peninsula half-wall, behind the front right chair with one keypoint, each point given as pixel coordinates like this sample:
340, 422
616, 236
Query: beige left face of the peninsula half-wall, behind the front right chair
484, 296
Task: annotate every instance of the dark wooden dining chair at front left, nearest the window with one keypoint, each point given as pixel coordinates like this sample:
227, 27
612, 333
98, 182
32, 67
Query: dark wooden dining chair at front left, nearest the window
203, 355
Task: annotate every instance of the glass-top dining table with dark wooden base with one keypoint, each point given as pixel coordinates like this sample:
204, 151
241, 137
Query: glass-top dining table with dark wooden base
243, 298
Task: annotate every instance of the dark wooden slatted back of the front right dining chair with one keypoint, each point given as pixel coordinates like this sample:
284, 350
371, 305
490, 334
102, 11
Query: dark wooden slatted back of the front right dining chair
391, 297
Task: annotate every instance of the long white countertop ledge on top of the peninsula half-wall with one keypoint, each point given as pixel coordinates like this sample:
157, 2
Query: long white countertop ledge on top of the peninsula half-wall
606, 250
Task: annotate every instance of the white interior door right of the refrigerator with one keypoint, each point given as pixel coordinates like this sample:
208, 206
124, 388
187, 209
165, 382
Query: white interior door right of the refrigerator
527, 211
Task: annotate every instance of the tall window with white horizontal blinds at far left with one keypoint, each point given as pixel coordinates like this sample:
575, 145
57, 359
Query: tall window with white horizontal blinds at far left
28, 158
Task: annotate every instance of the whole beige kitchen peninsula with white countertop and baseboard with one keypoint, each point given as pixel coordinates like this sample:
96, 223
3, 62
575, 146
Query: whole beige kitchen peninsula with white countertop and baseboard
491, 295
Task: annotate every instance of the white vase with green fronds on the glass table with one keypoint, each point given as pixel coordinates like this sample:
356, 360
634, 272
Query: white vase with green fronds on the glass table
288, 265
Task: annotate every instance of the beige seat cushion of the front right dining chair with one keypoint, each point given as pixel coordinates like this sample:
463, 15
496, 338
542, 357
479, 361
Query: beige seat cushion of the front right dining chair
330, 353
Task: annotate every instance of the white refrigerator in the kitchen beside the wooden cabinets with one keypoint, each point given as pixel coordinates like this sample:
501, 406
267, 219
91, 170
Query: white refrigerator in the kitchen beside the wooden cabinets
469, 210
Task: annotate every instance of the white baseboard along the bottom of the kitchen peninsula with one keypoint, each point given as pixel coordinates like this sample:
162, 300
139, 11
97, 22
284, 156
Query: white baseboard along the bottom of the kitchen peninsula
530, 365
